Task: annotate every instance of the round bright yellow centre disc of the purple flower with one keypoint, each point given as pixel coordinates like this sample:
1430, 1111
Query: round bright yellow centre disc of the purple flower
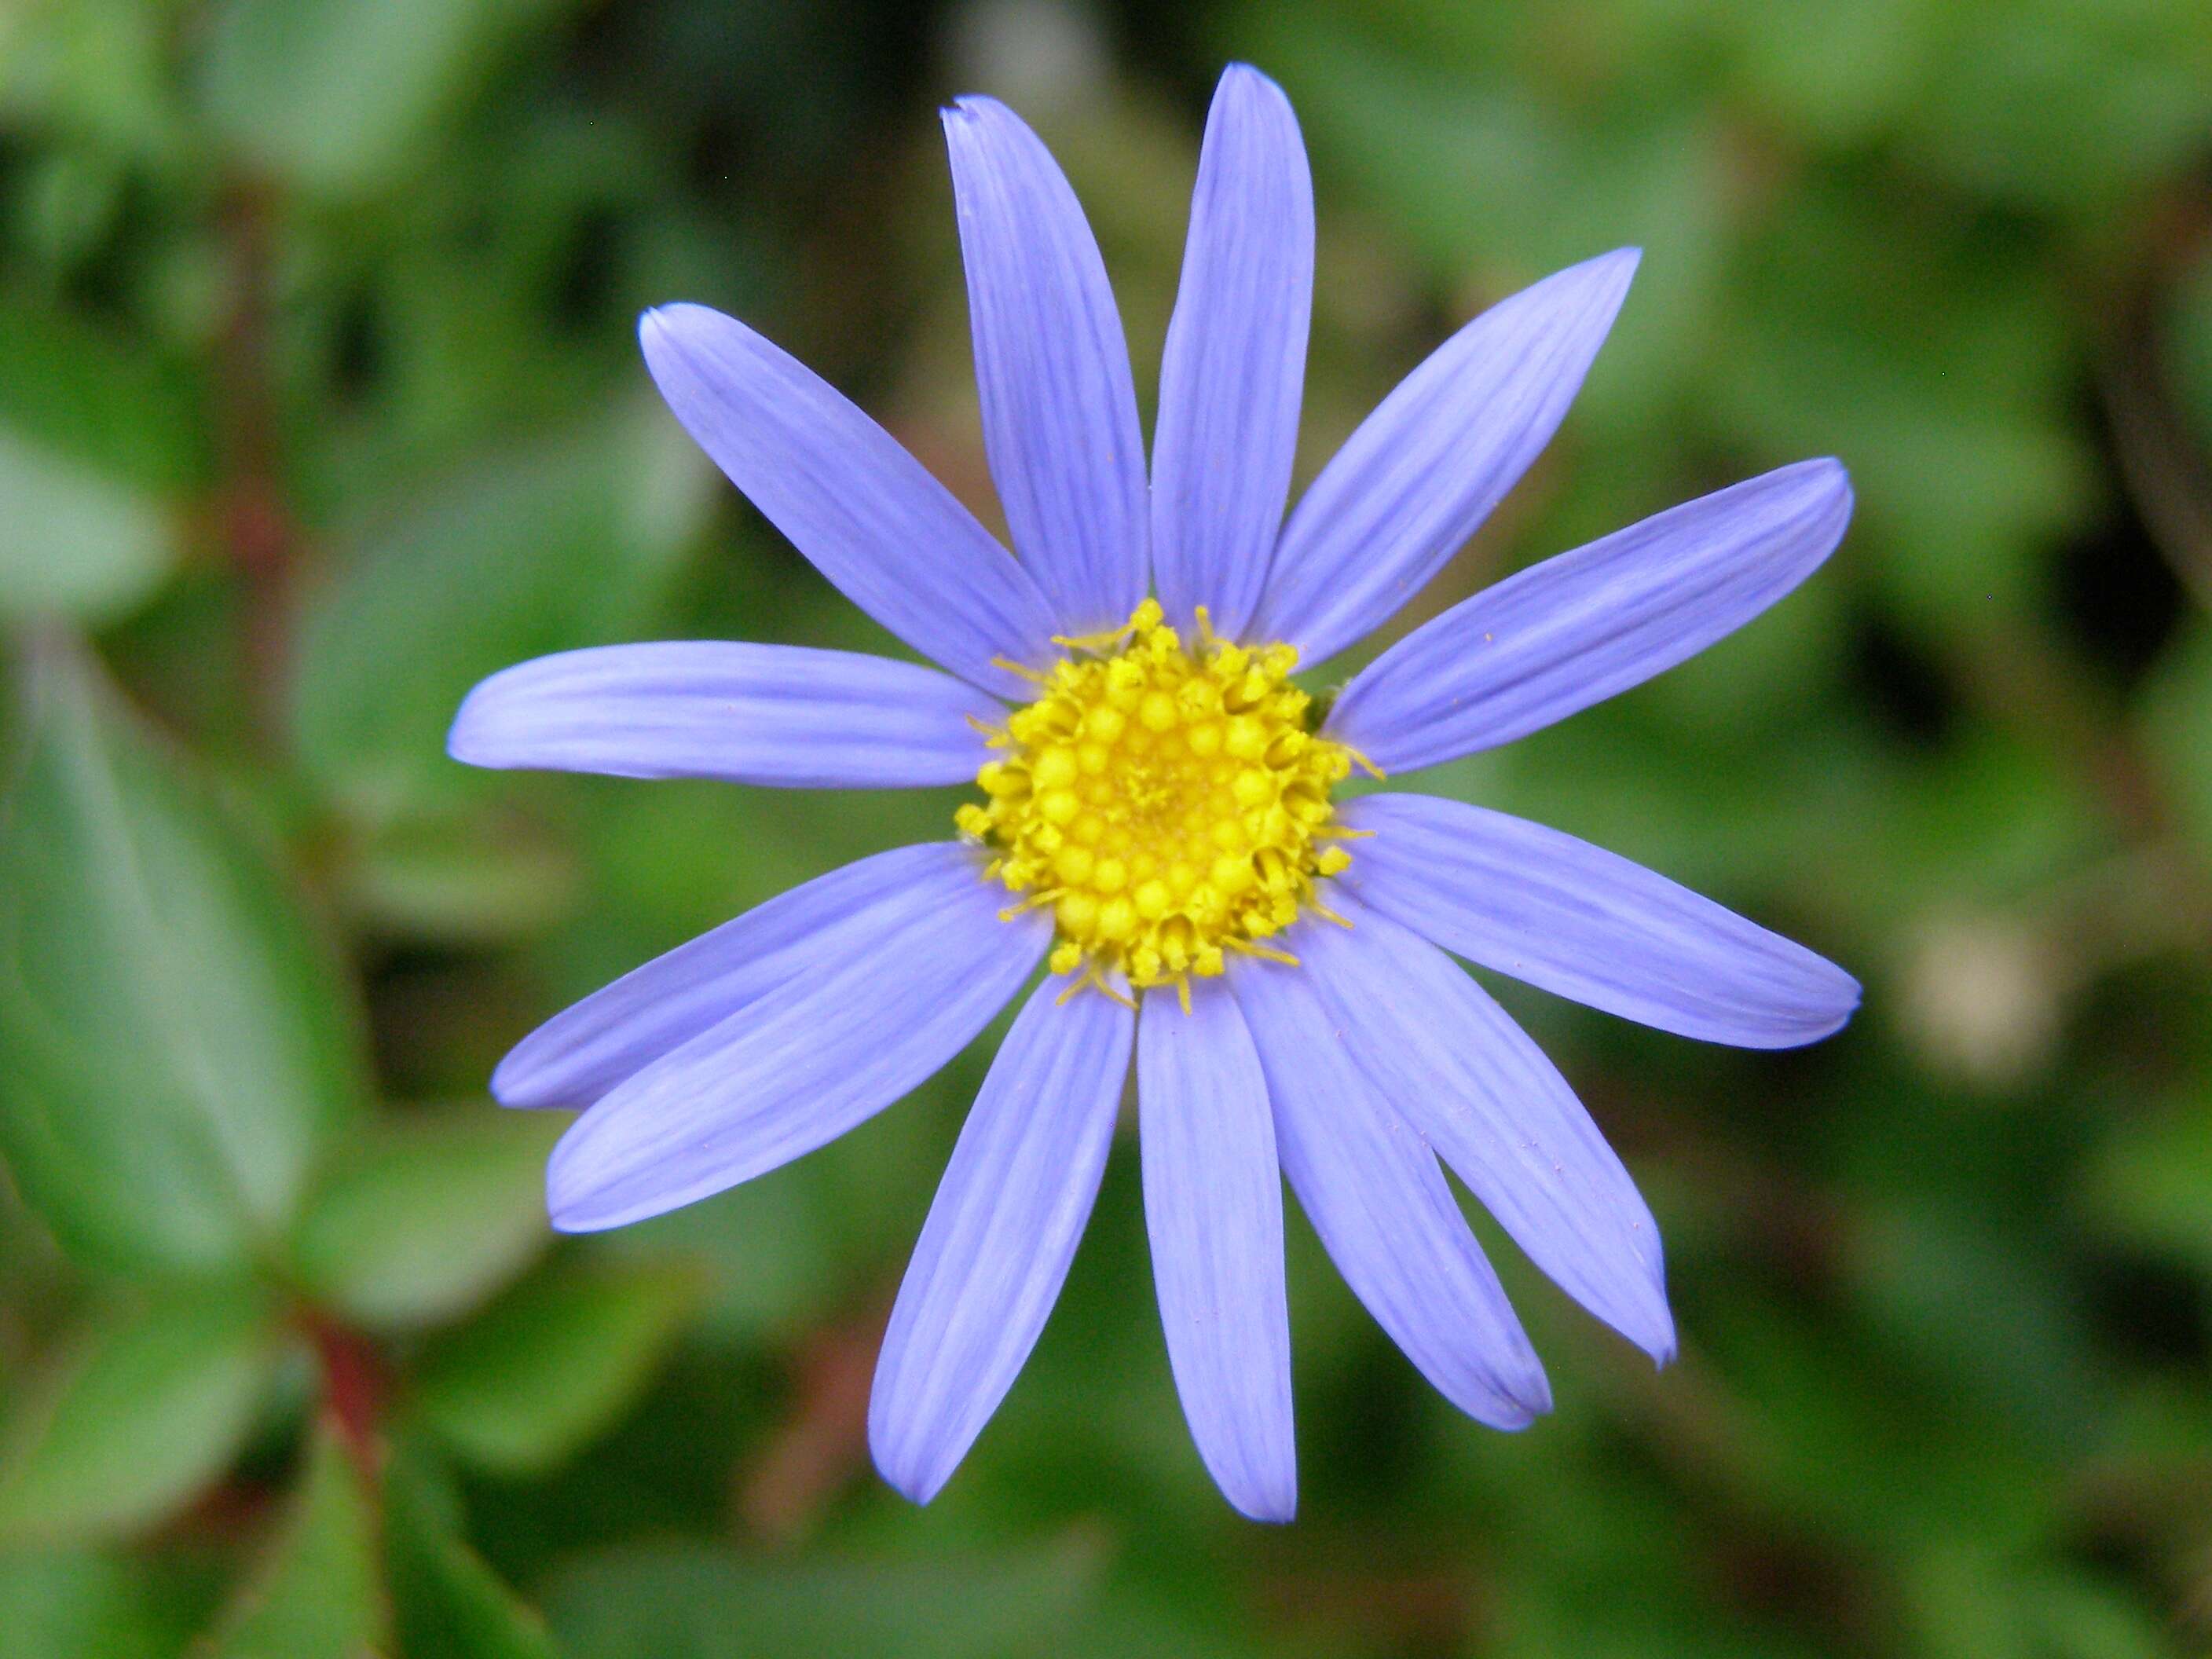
1169, 804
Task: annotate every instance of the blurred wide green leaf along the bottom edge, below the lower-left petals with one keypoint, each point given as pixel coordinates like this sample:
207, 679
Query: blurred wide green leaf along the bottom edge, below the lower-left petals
693, 1603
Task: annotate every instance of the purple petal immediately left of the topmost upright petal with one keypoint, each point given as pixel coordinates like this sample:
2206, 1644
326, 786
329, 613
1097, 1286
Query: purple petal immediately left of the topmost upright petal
1052, 366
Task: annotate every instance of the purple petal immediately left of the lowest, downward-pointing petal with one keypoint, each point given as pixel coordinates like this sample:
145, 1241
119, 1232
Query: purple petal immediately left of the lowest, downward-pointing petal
1001, 1235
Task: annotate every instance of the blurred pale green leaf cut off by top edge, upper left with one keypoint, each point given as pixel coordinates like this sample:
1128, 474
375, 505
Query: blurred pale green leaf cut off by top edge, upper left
340, 94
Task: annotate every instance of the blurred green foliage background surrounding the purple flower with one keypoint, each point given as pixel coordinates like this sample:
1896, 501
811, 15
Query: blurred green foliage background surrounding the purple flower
320, 401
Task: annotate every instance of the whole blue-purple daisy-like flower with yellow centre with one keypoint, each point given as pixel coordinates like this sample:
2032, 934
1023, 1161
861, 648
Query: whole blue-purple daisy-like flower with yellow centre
1158, 822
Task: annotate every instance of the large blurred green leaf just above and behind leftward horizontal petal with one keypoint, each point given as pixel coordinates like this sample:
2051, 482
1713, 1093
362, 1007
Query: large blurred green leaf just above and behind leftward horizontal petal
543, 550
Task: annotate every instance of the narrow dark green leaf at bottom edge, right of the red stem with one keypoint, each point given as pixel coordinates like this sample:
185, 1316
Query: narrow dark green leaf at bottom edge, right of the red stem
446, 1600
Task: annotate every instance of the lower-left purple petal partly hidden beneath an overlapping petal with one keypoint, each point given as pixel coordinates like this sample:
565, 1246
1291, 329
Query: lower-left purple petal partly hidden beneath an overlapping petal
804, 935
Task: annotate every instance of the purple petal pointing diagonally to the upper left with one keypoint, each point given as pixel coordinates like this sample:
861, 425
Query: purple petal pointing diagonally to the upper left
864, 510
